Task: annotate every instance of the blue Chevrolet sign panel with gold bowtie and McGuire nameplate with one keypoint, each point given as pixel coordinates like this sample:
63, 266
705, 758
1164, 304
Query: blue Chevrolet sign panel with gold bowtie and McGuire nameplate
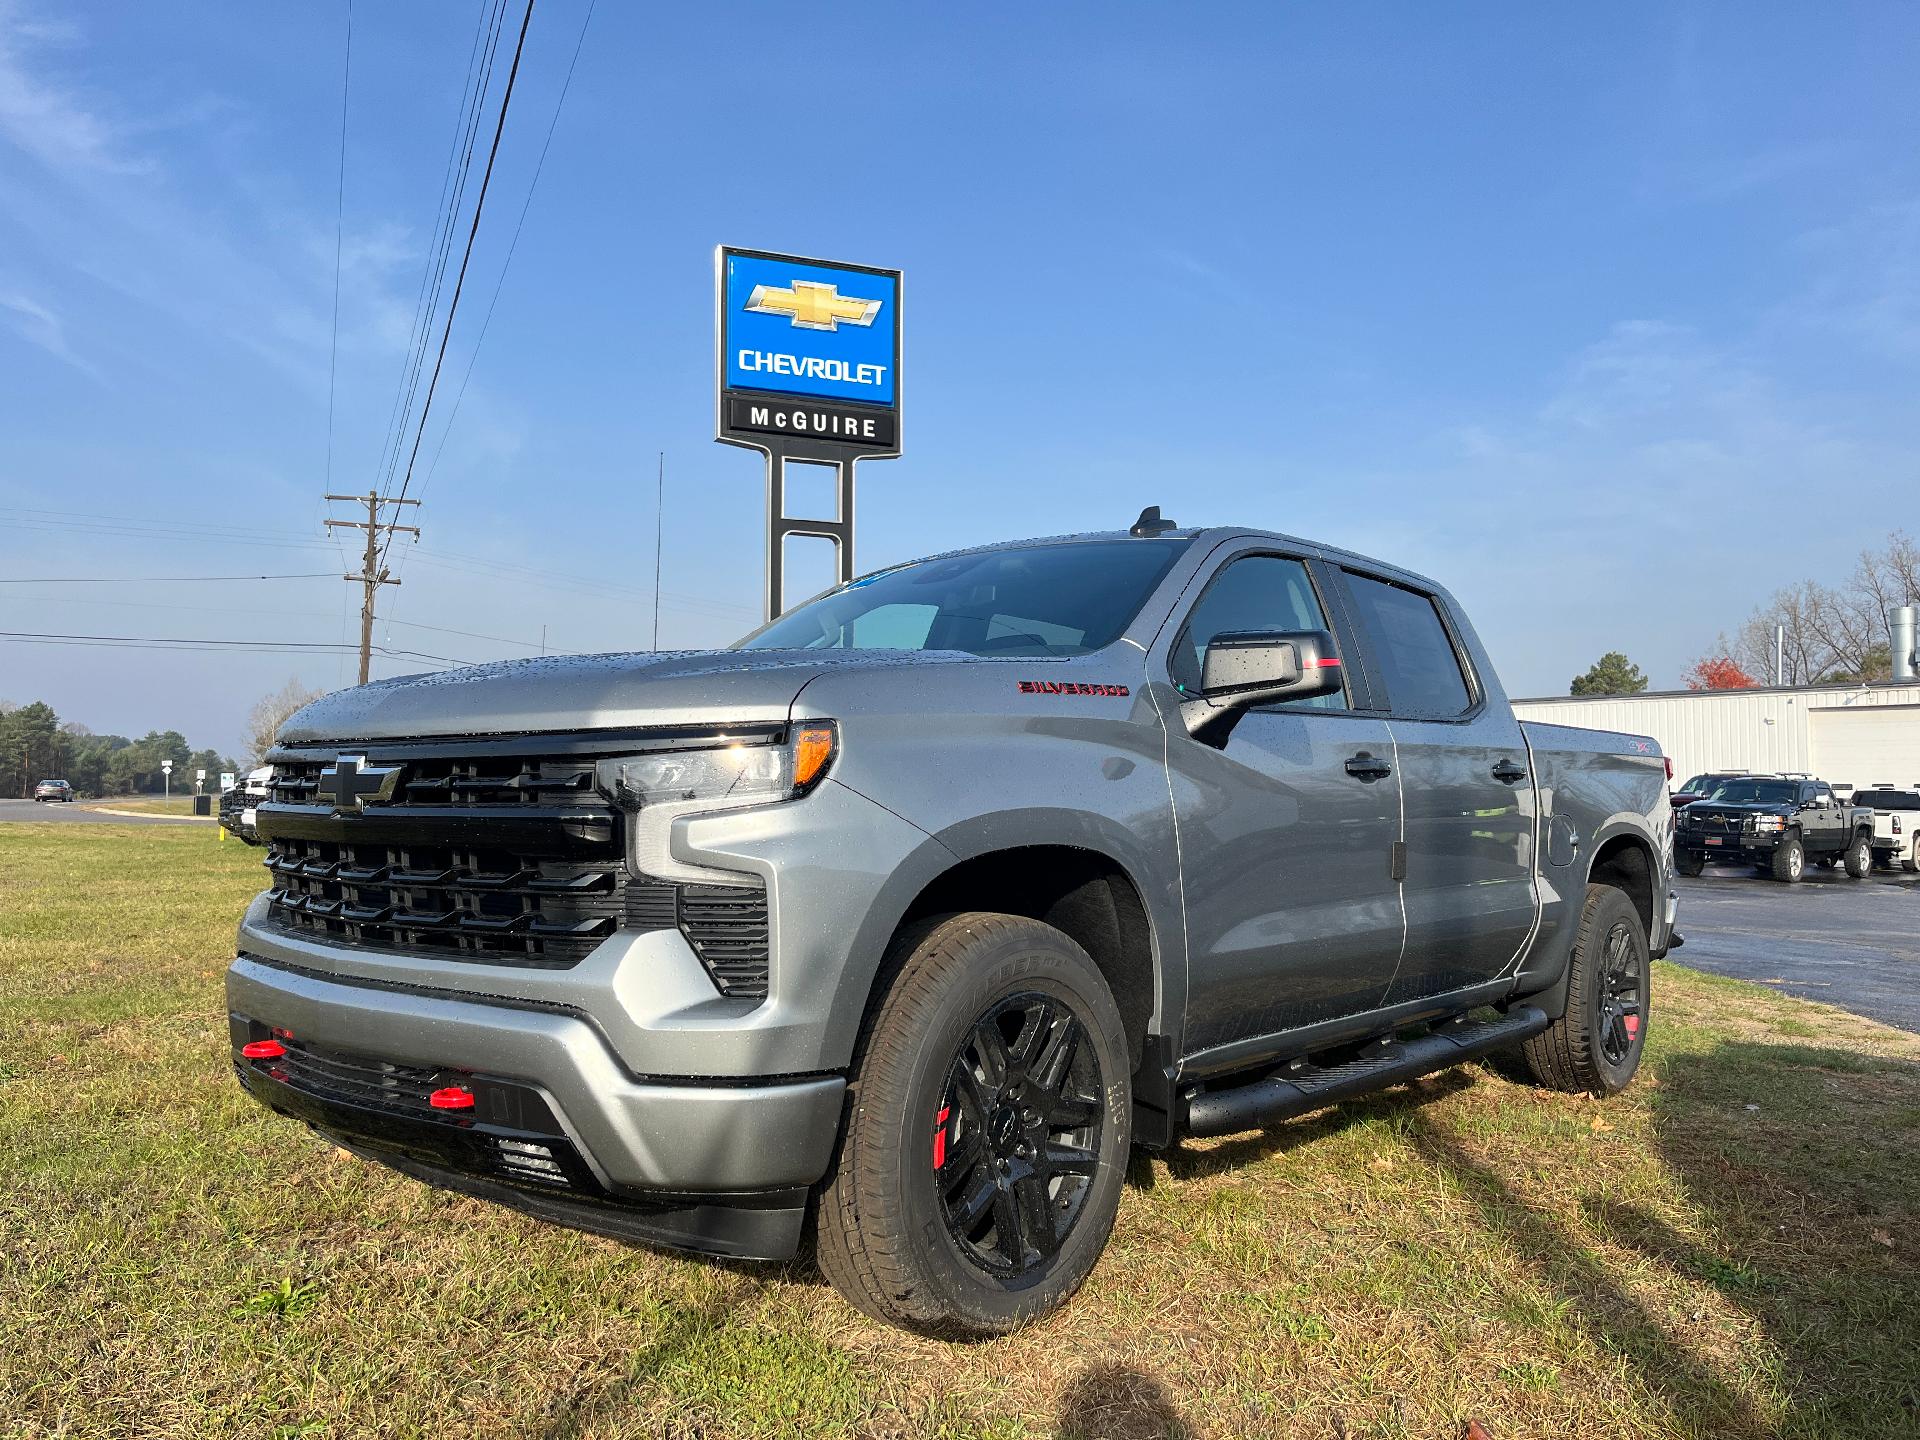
809, 350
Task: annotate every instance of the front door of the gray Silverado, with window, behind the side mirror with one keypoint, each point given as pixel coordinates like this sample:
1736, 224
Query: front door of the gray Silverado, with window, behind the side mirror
1287, 836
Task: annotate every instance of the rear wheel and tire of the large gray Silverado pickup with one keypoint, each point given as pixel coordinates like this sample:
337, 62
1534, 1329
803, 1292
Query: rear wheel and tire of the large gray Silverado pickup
1596, 1044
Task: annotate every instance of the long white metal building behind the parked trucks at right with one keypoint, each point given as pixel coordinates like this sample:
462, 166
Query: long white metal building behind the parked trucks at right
1844, 734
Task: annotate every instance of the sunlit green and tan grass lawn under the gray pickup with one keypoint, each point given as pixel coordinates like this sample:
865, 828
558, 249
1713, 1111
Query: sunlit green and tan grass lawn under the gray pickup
1727, 1251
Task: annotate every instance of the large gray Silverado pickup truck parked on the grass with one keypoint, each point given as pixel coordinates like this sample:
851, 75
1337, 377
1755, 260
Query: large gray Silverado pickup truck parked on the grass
901, 923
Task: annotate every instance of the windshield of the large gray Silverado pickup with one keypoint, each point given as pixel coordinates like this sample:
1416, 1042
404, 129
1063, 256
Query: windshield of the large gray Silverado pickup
1030, 600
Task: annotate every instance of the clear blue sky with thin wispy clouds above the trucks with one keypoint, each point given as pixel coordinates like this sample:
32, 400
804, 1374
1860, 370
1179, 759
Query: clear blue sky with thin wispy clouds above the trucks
1558, 306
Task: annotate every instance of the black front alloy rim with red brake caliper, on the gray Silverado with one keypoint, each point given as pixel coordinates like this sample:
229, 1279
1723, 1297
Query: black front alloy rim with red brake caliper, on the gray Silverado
1017, 1138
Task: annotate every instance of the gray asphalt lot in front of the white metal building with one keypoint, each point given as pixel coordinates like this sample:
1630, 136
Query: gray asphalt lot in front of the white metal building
1854, 944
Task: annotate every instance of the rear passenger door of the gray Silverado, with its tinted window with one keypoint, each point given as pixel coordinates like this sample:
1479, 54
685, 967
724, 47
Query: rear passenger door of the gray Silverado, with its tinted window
1464, 780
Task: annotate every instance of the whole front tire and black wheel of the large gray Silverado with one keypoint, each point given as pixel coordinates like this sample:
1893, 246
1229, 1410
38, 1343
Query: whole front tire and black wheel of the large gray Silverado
988, 1128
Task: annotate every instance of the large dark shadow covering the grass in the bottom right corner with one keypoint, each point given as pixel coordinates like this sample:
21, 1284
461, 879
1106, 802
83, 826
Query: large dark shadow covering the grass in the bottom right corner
1804, 1164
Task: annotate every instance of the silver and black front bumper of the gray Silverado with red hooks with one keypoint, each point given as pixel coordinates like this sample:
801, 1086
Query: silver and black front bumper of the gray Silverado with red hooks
719, 1166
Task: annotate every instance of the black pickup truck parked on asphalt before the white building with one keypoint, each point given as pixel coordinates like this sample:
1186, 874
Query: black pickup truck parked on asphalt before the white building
1775, 825
